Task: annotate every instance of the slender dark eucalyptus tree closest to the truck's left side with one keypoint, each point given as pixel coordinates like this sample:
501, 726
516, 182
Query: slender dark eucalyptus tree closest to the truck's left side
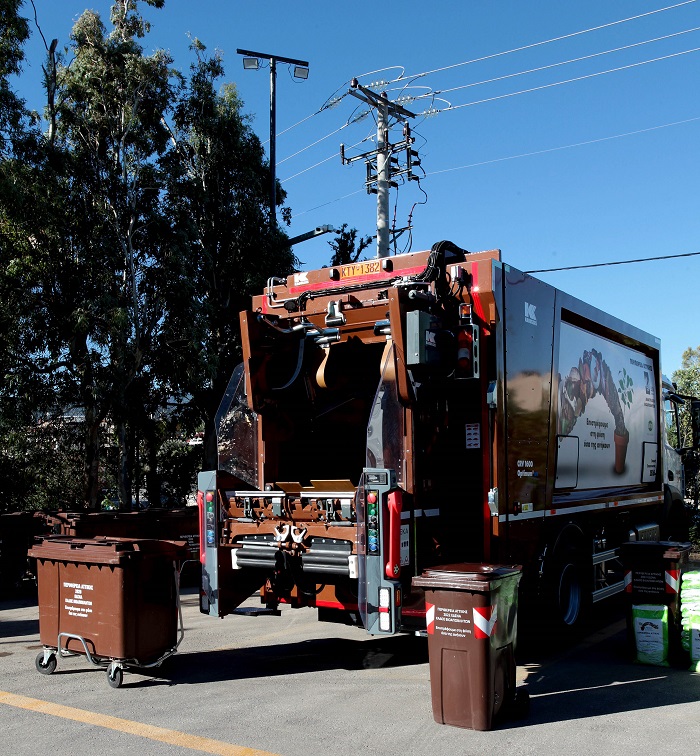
217, 195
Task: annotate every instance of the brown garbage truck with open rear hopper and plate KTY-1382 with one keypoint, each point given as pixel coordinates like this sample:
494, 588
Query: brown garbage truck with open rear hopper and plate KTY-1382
425, 409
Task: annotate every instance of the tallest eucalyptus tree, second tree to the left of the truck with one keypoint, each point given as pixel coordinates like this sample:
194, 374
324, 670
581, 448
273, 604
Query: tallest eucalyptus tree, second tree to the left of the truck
110, 104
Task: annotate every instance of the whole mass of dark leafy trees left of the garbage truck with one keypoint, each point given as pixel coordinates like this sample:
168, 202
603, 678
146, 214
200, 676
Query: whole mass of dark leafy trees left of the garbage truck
133, 231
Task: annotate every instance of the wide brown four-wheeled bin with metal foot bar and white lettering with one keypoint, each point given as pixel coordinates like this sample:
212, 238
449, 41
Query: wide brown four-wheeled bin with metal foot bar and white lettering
114, 600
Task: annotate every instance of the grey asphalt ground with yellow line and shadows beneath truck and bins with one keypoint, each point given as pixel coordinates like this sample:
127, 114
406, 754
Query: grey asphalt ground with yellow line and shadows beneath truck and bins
292, 686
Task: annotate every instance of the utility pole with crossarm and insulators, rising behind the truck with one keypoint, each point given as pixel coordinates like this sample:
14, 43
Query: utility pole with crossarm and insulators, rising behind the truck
380, 160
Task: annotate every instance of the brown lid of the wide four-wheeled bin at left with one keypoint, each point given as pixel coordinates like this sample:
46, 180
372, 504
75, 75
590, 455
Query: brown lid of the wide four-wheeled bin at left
105, 550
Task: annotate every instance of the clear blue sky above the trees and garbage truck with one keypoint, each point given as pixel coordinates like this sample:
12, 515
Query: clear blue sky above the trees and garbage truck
596, 160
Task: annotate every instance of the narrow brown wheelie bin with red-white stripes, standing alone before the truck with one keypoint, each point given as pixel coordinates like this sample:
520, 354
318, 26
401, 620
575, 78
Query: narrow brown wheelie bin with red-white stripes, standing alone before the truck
471, 616
